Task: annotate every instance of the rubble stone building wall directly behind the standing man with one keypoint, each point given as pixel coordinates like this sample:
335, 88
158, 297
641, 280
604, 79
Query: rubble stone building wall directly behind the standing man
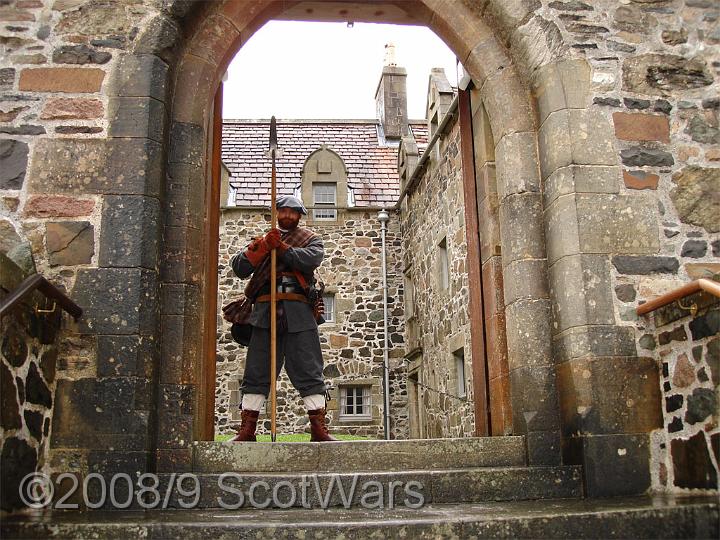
352, 346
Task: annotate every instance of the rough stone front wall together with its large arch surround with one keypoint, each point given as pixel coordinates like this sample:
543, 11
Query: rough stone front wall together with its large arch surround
604, 119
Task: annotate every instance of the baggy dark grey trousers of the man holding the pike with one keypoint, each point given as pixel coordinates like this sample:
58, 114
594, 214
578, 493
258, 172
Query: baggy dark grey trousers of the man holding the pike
300, 353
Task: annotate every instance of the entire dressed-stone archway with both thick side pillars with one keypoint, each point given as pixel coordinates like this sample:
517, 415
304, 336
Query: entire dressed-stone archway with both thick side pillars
565, 213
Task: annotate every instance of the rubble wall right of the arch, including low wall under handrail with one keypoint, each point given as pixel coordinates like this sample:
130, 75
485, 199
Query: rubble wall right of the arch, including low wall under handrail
654, 76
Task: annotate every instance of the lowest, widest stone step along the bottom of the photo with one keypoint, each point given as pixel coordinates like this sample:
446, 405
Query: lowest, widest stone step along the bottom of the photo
636, 517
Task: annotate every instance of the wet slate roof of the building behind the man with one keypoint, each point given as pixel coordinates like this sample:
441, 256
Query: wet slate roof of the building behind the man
372, 165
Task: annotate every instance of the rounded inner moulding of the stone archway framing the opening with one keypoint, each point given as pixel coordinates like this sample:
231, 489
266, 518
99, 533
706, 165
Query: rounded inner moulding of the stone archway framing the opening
215, 36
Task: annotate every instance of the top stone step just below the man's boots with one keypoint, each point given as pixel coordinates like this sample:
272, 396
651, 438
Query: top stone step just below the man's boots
365, 455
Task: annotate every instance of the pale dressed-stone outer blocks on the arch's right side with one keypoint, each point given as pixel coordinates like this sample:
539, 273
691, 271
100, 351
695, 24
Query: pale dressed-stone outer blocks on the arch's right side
609, 397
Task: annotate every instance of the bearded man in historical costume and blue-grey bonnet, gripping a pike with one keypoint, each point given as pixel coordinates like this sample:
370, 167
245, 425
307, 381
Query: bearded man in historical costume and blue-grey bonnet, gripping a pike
299, 253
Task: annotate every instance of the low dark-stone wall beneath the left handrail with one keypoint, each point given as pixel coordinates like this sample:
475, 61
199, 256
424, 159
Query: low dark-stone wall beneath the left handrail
28, 358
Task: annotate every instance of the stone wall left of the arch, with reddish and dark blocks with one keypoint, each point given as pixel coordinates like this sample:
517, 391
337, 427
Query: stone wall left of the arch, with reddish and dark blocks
80, 170
